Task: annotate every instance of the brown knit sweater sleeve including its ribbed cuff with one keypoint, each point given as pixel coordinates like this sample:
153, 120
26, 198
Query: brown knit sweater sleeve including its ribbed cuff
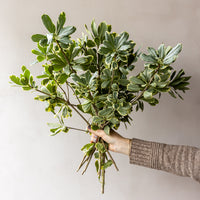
177, 159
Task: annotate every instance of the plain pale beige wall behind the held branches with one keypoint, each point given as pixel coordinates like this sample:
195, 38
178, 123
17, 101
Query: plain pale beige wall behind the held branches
34, 165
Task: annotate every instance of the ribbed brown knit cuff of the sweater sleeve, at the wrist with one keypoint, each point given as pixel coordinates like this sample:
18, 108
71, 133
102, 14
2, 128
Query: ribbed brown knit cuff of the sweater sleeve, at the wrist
145, 153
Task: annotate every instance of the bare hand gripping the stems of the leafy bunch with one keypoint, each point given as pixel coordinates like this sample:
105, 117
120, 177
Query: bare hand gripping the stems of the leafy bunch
116, 142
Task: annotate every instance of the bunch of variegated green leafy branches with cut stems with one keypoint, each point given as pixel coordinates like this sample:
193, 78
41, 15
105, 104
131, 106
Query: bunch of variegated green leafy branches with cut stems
96, 68
